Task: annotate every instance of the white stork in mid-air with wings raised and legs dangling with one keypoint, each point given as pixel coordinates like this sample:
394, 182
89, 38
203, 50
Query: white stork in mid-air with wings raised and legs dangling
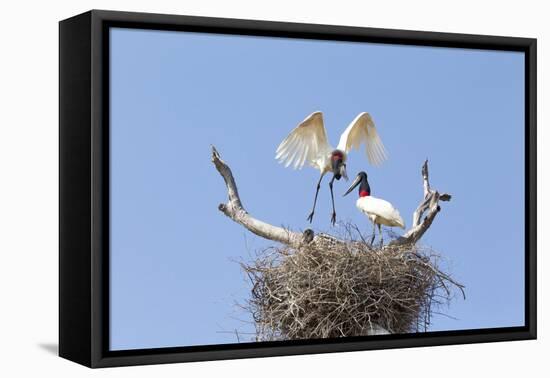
308, 143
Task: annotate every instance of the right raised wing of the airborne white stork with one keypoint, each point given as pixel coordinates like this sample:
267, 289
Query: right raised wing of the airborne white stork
362, 130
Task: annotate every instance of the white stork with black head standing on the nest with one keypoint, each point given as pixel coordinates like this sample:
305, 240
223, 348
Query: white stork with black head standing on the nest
379, 211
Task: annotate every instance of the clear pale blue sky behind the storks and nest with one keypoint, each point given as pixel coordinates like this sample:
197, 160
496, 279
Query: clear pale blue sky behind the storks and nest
174, 279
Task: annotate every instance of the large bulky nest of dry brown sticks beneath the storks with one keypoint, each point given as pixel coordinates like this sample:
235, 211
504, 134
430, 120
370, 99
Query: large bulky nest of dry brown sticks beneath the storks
332, 289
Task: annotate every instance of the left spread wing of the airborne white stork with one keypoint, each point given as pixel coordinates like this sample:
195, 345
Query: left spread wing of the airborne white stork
305, 143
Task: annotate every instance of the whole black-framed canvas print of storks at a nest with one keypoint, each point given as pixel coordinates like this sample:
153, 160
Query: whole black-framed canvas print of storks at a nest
234, 188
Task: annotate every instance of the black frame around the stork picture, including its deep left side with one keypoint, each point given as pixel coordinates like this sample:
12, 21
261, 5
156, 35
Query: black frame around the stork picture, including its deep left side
84, 183
